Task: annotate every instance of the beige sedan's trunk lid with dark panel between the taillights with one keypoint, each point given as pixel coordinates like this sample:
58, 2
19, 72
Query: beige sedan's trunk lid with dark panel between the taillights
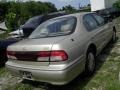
28, 49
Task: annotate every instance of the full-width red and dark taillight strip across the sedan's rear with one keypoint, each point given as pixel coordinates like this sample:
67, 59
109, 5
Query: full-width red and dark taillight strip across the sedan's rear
42, 56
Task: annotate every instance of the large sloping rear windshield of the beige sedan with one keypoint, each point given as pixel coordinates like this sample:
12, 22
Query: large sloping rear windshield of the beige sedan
55, 27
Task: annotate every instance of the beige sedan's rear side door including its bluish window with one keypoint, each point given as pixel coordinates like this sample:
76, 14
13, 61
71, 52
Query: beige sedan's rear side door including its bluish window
96, 32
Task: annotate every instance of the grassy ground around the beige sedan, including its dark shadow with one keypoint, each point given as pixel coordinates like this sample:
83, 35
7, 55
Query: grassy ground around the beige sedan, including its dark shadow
107, 76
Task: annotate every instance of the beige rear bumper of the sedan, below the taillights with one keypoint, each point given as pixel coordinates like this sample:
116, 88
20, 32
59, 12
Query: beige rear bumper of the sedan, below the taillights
55, 77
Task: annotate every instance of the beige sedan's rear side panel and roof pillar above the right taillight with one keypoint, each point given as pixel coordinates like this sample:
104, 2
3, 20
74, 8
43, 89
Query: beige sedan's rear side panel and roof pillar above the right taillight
75, 44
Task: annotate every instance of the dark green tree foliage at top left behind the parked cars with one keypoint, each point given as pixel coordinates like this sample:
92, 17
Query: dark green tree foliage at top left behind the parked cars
16, 13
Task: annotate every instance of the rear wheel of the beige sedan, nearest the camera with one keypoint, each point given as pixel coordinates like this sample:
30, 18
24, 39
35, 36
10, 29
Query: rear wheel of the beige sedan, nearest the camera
90, 63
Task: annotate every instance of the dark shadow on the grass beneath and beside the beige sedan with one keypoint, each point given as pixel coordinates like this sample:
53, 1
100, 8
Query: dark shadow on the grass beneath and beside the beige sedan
81, 81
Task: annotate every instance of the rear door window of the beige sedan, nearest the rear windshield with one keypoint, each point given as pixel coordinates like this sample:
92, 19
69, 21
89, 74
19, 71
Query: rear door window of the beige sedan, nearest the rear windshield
89, 22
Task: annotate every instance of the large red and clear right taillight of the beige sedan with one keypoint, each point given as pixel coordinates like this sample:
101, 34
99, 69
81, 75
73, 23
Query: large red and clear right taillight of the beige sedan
52, 56
